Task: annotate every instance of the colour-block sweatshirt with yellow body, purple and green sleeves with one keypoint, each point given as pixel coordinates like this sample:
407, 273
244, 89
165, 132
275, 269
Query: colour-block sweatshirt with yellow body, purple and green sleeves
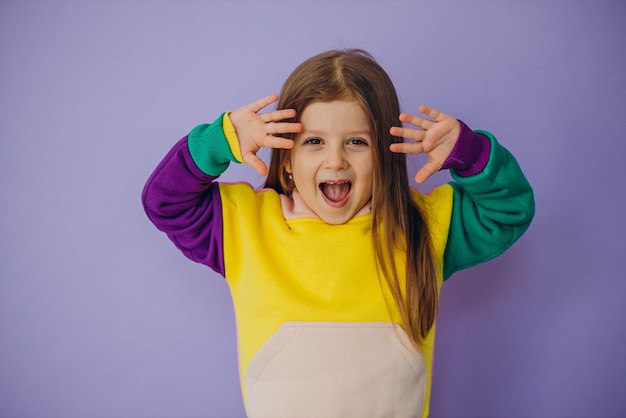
319, 334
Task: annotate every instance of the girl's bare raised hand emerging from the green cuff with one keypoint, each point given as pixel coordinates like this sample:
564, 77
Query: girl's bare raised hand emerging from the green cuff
256, 130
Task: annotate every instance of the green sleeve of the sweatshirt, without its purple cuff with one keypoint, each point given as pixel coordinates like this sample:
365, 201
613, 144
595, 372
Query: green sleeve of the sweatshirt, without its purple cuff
490, 211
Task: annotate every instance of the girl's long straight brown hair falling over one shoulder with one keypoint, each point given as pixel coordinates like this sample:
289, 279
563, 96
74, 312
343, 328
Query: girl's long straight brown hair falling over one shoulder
396, 219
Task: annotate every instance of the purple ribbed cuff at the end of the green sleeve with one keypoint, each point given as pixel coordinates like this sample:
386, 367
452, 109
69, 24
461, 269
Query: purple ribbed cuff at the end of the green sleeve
470, 154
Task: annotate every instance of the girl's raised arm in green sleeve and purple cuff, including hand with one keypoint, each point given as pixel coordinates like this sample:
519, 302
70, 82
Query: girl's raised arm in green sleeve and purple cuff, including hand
493, 202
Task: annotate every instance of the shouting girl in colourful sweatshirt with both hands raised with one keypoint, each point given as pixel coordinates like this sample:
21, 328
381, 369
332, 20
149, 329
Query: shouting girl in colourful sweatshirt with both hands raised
335, 267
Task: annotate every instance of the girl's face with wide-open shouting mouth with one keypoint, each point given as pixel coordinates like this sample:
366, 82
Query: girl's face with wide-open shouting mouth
332, 160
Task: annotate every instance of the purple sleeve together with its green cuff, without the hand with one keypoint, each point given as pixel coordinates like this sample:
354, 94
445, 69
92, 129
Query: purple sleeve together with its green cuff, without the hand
181, 199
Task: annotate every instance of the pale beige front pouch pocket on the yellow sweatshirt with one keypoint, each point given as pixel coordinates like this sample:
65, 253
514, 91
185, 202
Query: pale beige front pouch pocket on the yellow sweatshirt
336, 369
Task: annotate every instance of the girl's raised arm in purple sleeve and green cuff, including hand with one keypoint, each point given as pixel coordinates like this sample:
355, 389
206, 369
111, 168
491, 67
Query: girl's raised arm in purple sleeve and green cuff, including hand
181, 197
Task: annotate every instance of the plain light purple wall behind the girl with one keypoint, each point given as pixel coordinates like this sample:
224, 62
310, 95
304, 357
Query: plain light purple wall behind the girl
100, 316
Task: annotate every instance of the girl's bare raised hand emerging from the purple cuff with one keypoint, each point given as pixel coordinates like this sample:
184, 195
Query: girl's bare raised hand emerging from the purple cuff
436, 136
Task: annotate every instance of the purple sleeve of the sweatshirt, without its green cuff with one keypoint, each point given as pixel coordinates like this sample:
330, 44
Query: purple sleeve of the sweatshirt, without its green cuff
185, 203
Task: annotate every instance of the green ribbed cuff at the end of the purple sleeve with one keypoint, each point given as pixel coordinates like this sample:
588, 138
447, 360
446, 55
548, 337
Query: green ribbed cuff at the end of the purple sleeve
209, 147
